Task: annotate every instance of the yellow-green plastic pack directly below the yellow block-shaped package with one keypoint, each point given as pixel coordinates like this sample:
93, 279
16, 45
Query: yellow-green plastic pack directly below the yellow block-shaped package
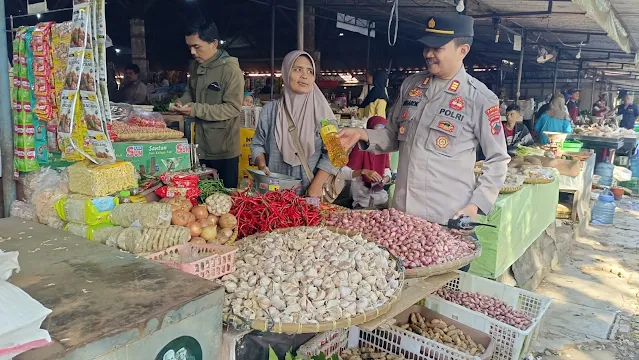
82, 209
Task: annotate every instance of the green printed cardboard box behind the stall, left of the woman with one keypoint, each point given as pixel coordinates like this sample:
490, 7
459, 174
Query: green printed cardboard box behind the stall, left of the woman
156, 156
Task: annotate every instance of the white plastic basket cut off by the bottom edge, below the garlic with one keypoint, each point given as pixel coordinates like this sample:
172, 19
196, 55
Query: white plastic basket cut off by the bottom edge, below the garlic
390, 340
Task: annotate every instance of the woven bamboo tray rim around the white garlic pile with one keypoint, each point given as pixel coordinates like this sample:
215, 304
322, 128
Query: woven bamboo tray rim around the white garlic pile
293, 328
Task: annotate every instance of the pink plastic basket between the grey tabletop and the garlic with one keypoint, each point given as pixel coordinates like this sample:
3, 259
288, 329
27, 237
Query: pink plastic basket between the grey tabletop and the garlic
210, 267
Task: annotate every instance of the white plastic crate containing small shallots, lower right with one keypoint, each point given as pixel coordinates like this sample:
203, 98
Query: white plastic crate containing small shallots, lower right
511, 343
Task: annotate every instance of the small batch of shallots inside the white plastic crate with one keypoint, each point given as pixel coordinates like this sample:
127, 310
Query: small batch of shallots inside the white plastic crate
488, 305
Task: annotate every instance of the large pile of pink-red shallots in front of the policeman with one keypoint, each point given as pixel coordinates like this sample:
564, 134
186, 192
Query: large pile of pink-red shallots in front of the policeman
417, 242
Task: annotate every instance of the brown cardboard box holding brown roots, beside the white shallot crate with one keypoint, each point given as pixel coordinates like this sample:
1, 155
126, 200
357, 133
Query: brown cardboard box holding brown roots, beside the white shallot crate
479, 337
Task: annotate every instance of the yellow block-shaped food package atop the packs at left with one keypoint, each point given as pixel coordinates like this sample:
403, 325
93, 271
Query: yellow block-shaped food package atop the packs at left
101, 180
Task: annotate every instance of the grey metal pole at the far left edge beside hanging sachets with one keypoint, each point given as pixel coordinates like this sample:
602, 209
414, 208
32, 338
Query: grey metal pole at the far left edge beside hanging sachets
6, 125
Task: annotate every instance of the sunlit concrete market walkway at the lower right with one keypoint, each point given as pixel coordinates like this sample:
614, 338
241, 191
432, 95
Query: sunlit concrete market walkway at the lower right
595, 294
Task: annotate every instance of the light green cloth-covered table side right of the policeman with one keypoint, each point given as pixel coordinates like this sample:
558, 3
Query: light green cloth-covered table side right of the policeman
520, 218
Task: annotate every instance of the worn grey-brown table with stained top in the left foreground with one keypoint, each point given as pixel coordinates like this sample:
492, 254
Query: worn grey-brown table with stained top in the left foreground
111, 304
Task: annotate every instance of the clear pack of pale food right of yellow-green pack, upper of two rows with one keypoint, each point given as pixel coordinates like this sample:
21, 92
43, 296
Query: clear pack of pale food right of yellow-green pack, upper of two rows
147, 215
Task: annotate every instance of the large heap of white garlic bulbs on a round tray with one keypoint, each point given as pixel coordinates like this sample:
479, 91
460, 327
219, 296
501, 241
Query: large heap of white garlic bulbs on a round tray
309, 275
